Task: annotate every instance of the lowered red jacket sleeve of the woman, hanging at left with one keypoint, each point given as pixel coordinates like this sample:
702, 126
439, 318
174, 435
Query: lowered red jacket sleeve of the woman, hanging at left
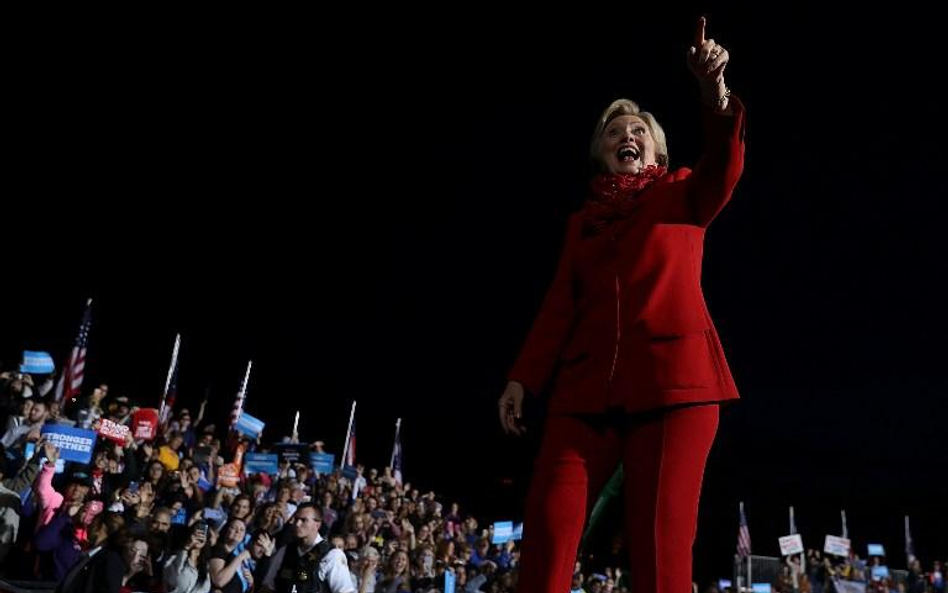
541, 350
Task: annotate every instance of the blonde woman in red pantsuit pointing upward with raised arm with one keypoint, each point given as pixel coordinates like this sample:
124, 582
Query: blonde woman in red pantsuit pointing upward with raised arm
625, 339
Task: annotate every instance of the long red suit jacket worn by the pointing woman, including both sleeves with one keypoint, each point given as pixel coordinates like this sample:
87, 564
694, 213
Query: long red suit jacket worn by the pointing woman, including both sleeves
624, 323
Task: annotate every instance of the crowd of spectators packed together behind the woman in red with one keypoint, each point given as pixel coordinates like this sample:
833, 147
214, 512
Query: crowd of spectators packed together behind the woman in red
160, 516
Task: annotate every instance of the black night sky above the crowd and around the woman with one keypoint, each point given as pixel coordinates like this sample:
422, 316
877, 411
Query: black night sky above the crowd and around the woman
383, 228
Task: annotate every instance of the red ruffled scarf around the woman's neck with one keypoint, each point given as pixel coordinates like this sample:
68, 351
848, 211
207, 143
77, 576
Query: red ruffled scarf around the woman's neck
612, 197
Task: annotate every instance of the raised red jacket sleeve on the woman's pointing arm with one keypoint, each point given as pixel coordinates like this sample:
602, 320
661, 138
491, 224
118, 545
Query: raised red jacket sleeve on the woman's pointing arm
713, 180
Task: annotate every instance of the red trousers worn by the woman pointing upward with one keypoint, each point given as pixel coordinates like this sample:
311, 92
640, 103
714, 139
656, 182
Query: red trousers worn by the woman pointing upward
663, 454
